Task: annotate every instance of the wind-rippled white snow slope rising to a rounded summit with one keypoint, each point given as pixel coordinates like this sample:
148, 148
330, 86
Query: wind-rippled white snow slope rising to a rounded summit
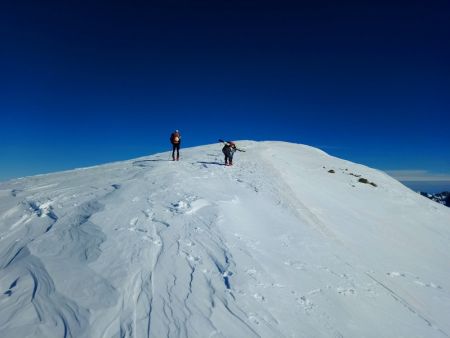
286, 243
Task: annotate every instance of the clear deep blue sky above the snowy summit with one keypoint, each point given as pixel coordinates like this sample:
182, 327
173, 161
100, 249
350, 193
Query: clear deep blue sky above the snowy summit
87, 83
